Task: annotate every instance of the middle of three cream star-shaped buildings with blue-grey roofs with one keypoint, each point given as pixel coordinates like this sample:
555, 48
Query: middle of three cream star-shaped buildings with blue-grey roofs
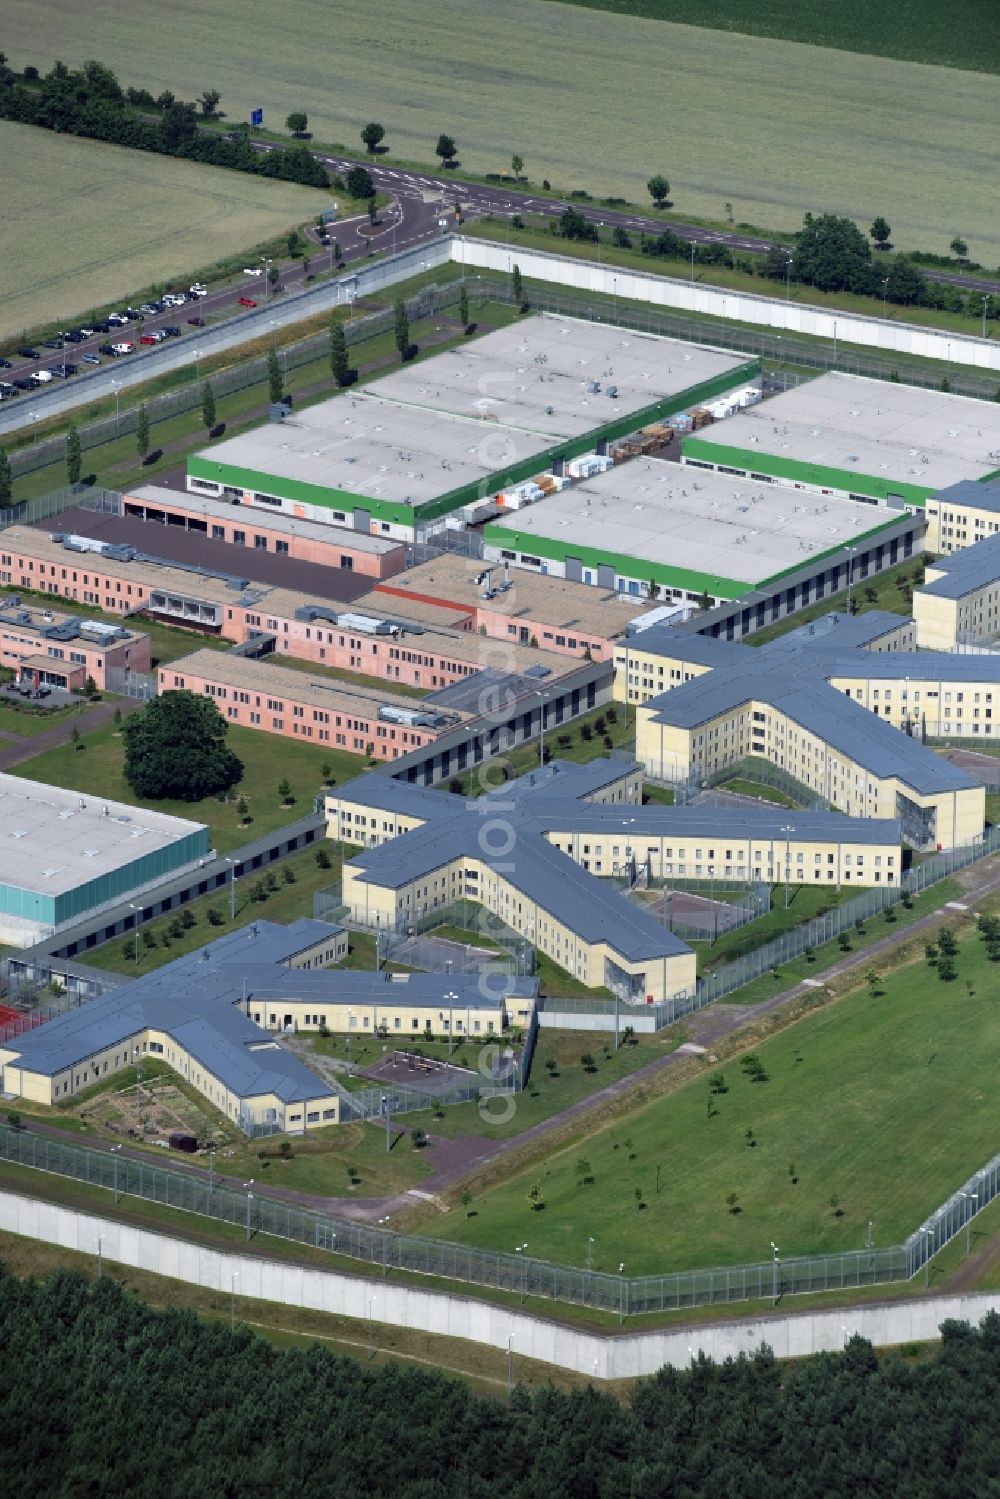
548, 854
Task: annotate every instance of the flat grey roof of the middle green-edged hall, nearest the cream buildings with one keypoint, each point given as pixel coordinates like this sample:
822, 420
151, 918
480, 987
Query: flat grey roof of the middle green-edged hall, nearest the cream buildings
723, 528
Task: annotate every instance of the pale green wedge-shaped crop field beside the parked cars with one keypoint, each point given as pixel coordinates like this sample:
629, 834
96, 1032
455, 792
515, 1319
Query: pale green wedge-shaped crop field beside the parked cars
88, 223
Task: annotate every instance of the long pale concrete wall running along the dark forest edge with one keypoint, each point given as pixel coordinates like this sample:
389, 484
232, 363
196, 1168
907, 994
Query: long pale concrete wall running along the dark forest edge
600, 1357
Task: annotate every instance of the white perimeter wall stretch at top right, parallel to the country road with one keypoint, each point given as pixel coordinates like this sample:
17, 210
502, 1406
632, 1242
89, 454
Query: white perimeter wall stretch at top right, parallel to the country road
767, 313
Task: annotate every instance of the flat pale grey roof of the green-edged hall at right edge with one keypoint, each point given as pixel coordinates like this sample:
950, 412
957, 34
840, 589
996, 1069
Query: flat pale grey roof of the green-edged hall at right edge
875, 428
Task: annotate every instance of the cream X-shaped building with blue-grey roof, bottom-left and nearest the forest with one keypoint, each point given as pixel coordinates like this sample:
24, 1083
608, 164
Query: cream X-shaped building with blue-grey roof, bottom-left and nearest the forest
217, 1016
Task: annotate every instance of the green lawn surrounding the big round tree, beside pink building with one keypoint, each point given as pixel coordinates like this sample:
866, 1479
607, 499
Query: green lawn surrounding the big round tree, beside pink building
97, 770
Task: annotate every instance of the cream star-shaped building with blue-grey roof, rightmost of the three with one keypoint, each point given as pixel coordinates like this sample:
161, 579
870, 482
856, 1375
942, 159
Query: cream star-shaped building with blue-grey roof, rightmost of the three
848, 725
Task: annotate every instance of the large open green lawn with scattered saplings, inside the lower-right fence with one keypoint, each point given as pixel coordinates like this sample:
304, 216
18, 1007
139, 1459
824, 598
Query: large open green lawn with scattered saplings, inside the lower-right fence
882, 1104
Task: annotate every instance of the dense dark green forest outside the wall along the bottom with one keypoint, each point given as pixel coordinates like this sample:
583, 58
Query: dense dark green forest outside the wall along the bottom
103, 1395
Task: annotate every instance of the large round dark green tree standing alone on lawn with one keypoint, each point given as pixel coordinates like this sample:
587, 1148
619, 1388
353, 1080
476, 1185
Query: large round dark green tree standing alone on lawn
178, 749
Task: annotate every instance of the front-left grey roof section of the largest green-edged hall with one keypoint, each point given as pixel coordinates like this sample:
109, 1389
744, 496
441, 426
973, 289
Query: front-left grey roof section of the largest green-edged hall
373, 449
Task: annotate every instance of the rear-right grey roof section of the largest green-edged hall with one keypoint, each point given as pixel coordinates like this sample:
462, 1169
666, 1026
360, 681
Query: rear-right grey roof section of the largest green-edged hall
534, 375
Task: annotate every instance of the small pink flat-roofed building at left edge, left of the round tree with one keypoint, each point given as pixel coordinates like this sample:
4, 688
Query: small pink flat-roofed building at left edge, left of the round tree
50, 648
